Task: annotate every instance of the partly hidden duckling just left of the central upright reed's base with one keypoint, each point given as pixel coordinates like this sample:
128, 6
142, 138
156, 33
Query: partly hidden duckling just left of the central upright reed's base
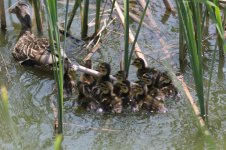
120, 76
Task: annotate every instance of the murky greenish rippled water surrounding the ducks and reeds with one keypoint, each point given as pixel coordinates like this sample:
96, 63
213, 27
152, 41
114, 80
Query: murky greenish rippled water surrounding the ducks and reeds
31, 96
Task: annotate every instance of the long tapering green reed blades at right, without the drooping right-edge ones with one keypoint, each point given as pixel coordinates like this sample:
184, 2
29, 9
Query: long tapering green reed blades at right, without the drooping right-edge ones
186, 19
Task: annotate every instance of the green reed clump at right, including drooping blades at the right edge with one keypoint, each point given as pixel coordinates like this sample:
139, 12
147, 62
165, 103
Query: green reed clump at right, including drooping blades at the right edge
191, 21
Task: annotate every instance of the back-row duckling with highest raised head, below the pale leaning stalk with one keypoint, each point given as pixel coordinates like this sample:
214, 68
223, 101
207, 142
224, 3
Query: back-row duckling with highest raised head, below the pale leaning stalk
142, 69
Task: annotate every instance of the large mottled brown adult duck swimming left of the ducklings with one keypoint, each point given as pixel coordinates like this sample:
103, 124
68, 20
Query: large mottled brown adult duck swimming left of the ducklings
29, 49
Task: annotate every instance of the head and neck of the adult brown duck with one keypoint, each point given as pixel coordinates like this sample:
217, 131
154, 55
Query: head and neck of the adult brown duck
21, 9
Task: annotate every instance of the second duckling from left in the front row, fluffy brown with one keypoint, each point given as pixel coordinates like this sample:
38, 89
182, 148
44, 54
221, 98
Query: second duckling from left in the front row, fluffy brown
108, 100
